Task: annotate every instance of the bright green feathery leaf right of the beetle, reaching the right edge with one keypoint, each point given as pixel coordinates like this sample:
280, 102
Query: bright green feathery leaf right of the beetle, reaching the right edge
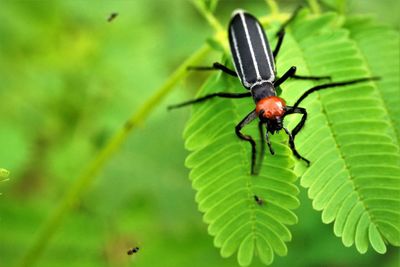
350, 136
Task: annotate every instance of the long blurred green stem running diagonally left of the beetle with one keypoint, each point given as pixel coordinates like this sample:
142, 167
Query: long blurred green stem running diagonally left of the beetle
83, 182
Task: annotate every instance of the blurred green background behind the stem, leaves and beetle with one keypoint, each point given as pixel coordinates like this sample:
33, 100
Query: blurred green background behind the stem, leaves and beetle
68, 80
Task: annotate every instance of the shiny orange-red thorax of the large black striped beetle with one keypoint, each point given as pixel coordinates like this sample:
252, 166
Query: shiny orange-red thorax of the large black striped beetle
271, 107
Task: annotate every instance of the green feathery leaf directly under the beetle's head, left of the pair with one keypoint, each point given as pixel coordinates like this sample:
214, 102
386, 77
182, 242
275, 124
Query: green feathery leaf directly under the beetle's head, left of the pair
220, 164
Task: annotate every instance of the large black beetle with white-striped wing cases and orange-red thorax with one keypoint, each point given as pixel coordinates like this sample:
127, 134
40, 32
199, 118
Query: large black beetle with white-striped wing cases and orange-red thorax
254, 64
